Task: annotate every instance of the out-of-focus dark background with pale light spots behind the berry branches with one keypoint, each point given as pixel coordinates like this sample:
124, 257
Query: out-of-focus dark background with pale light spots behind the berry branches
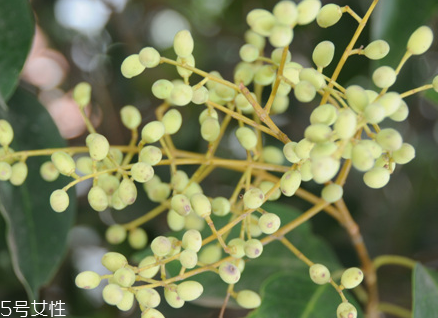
90, 45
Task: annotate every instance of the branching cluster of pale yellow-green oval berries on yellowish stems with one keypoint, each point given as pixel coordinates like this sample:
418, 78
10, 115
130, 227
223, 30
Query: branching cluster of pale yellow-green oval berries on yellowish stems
344, 131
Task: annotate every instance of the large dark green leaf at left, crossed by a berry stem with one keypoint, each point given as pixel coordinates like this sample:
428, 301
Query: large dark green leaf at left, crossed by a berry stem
36, 235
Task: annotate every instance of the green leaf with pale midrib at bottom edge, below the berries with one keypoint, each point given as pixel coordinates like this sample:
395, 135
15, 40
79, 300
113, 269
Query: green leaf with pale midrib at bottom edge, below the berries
293, 294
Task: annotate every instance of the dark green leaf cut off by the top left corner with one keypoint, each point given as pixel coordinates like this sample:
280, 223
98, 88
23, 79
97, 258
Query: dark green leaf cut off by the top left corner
16, 32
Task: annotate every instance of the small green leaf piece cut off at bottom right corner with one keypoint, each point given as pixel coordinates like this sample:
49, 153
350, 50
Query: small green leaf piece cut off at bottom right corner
424, 292
